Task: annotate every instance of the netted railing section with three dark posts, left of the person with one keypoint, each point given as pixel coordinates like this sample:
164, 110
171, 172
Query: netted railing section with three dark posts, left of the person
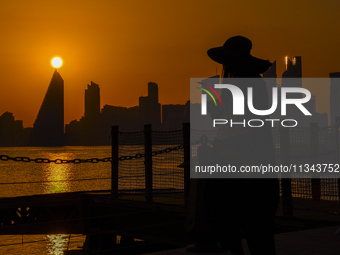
139, 163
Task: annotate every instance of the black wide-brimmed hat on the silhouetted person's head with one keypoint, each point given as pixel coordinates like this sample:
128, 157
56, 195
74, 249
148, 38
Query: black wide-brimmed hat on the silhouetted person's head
235, 54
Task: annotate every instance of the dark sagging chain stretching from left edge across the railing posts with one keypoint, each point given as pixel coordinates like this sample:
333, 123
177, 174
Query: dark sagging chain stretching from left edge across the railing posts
91, 160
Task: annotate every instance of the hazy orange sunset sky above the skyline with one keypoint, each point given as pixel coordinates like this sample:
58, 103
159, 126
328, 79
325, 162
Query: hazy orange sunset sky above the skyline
123, 45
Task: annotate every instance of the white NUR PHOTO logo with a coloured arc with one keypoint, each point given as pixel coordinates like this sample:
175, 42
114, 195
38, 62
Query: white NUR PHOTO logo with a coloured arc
243, 101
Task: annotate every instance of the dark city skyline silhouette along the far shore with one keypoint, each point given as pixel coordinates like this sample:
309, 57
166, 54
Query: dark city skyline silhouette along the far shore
93, 127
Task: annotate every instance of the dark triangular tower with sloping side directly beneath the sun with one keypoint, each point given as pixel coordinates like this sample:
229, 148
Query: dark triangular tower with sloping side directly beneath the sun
48, 128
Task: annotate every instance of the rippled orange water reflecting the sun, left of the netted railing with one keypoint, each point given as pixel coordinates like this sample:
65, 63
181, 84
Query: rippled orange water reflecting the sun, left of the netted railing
24, 179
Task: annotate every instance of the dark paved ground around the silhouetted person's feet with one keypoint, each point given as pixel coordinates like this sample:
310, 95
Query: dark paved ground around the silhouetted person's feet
321, 241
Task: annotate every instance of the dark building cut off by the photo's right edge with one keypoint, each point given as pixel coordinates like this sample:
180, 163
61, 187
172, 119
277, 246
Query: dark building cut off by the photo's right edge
334, 96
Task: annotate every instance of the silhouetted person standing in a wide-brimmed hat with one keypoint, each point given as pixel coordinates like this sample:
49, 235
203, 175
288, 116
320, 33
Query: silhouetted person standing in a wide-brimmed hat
232, 205
